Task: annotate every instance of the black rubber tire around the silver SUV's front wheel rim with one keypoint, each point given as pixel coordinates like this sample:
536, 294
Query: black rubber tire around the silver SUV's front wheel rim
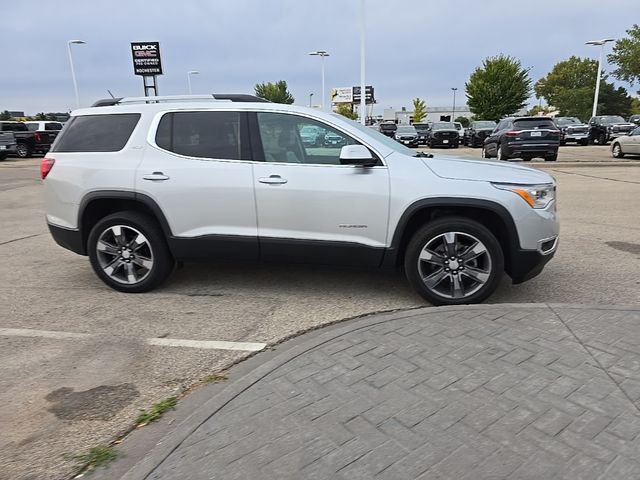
491, 262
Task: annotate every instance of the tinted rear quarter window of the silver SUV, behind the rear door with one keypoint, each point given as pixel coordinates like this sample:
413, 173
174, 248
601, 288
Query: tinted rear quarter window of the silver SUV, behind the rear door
97, 133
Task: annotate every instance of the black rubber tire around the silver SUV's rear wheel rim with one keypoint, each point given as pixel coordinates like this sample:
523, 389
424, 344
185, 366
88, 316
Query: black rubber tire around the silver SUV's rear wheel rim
162, 261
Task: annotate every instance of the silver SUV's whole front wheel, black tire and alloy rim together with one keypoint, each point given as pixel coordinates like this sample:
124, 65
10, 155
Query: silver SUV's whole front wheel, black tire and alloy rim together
454, 261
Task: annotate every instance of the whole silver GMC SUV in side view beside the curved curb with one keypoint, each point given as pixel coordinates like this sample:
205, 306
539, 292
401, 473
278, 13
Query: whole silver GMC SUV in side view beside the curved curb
138, 184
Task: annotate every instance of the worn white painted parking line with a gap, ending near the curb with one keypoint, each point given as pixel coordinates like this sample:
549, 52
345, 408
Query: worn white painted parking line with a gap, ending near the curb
160, 342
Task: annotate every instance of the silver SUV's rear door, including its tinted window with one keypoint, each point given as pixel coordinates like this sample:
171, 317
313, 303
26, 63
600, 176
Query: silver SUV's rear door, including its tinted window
197, 169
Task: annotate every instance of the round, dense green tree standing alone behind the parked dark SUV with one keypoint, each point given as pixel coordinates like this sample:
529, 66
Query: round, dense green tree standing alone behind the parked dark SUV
499, 87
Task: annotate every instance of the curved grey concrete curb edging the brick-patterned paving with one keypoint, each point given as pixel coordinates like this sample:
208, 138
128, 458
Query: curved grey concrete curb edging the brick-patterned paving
164, 448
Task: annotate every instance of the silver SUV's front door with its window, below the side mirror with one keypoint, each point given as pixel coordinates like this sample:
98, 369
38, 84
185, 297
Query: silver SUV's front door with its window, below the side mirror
310, 207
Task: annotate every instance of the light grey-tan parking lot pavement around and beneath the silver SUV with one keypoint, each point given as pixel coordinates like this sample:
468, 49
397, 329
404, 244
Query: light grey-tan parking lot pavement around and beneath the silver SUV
76, 360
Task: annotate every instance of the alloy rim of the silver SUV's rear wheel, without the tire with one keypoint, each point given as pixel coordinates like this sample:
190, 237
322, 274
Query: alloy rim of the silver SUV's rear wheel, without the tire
124, 254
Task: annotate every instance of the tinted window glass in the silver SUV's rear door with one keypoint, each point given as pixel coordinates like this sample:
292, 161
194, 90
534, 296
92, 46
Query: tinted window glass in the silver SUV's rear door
201, 134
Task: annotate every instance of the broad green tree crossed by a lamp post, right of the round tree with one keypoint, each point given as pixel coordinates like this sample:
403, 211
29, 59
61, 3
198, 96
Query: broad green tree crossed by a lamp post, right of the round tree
570, 87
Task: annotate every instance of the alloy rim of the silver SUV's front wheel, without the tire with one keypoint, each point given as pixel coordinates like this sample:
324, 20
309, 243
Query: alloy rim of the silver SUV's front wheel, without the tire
454, 265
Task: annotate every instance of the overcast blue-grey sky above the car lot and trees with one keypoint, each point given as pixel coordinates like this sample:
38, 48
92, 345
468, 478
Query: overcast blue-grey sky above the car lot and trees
415, 48
